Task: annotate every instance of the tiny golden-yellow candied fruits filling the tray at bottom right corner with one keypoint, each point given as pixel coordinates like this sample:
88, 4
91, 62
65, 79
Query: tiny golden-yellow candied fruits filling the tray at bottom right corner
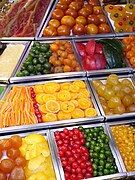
125, 140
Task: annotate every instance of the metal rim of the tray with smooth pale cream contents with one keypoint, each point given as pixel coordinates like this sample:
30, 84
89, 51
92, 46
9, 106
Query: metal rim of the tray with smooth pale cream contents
26, 44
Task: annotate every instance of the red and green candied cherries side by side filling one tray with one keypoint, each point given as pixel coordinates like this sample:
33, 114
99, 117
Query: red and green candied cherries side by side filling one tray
85, 152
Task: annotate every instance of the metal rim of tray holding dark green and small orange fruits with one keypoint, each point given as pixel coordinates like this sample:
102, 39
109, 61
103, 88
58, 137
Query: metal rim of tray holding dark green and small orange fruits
14, 79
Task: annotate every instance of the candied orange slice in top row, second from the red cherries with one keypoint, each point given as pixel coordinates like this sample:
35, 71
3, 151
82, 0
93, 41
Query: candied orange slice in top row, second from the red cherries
51, 87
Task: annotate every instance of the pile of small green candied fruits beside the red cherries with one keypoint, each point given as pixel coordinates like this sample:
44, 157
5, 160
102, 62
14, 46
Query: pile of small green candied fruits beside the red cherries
102, 159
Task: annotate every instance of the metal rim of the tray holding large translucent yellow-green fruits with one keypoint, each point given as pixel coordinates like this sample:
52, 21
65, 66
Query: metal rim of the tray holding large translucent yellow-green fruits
114, 116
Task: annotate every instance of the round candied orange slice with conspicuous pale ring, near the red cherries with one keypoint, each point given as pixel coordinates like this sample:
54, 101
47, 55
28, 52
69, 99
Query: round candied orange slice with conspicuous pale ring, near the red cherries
52, 106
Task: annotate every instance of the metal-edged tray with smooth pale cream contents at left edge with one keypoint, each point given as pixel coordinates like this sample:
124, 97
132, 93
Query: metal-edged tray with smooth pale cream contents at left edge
11, 55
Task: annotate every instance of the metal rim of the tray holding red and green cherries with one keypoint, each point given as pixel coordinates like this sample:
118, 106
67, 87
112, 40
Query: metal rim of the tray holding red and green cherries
119, 175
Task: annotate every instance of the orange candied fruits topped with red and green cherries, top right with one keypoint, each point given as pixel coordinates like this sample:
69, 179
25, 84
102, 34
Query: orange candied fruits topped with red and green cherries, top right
122, 17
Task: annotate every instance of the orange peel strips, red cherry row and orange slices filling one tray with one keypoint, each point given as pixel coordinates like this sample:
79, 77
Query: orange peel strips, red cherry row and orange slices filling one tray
46, 103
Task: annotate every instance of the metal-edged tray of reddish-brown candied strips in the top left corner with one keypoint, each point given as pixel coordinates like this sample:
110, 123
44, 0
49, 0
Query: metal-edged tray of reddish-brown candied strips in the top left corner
29, 24
